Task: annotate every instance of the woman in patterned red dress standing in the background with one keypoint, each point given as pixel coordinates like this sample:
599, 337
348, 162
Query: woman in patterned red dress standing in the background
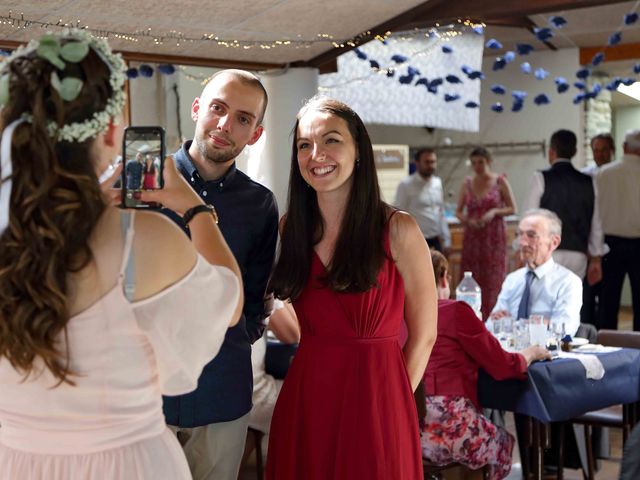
485, 199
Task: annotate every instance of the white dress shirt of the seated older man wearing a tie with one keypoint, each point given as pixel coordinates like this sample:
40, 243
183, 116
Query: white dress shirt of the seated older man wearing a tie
556, 293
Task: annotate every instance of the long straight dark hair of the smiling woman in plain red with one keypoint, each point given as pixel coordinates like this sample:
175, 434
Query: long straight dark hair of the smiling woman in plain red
359, 250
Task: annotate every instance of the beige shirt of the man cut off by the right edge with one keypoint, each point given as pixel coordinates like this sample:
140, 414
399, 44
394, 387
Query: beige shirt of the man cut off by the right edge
619, 199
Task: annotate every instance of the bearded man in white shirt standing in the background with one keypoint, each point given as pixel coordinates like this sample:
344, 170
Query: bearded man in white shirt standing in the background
421, 195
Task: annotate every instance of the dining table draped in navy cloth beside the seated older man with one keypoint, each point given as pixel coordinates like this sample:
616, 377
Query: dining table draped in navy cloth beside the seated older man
558, 390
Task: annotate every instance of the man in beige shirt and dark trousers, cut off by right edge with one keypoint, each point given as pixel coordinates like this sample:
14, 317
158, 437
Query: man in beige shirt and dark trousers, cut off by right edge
619, 201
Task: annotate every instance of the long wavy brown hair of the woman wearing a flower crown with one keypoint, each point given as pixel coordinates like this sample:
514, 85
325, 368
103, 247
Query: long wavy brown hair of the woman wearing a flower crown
55, 204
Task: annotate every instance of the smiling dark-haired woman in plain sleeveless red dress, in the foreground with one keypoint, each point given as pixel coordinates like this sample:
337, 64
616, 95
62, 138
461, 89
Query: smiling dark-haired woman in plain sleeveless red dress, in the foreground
353, 268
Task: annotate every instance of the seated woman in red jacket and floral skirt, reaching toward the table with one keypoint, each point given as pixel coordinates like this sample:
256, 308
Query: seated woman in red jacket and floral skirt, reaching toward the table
455, 429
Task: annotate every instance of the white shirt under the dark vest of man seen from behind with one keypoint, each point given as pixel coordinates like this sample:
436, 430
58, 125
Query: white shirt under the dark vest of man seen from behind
575, 261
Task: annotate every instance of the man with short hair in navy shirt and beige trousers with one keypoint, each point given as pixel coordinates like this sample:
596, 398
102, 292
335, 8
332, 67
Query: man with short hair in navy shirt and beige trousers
211, 422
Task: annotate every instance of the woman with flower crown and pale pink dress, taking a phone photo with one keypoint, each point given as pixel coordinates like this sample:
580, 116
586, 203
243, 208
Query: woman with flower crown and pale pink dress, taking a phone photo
93, 328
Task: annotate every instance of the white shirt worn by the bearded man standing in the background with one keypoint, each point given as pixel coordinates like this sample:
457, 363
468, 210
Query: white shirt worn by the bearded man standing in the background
424, 200
